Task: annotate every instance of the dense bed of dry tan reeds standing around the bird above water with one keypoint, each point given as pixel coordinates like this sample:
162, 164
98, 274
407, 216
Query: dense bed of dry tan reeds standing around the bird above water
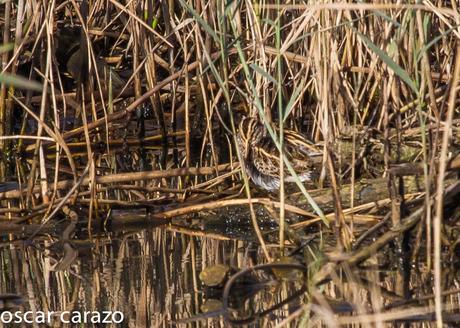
113, 104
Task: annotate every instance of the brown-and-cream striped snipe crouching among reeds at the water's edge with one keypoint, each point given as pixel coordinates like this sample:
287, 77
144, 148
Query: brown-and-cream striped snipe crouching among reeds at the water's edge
261, 156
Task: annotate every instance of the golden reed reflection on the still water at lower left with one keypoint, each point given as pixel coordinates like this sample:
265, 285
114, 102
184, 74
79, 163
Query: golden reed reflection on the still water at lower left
150, 276
